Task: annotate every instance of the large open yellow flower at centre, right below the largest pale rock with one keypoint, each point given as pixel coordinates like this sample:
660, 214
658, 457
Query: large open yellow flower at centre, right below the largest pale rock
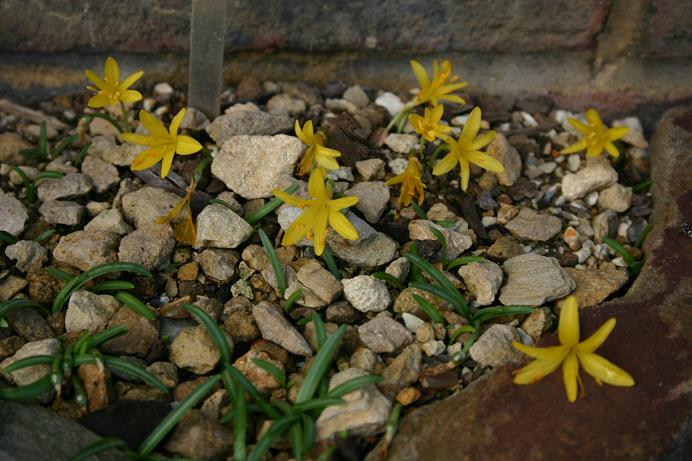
319, 211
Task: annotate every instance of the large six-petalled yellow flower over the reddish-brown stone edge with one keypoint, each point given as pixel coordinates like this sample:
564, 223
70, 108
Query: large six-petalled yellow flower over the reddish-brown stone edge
570, 354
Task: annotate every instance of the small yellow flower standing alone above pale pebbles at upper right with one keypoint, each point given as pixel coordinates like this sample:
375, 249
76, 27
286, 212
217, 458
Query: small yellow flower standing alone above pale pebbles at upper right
596, 136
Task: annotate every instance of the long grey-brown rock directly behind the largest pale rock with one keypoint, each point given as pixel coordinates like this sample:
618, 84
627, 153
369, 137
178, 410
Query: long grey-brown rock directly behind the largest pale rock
247, 122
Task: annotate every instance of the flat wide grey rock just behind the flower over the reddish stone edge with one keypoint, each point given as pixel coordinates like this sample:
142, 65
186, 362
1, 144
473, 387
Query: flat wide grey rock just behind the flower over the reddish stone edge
533, 280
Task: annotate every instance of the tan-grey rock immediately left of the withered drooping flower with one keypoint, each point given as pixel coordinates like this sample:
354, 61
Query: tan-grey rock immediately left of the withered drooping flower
145, 205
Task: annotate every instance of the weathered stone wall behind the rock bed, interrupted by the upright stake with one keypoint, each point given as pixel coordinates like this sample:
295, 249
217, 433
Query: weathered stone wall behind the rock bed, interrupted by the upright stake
617, 55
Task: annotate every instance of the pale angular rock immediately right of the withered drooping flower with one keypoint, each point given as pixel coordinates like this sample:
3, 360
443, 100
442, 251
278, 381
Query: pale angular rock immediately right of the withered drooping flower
219, 227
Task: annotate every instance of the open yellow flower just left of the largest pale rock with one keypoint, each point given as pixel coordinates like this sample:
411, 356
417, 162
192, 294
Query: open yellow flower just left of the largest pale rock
164, 143
